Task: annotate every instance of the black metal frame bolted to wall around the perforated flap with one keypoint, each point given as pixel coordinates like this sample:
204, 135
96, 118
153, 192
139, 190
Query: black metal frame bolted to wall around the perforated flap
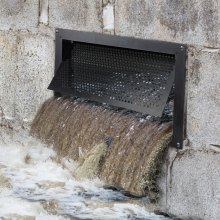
178, 50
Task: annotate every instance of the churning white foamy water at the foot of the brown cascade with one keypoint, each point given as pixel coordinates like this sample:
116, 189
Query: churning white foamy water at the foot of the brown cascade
35, 184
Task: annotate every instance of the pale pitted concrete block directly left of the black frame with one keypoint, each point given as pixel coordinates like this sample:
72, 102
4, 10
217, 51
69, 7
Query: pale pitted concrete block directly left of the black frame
35, 66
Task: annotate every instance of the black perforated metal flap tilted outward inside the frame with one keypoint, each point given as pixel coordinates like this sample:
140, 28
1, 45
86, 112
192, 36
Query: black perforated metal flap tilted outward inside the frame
133, 79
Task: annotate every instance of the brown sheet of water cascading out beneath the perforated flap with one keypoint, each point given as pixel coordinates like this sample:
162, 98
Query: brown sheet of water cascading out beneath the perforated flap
77, 129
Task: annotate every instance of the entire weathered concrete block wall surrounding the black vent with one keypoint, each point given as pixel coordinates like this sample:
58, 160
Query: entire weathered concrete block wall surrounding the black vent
192, 185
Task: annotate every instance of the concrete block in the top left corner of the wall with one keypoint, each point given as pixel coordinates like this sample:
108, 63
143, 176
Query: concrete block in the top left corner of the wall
18, 14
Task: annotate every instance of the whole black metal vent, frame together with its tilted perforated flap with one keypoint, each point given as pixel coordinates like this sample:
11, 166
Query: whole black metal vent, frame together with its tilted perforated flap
126, 72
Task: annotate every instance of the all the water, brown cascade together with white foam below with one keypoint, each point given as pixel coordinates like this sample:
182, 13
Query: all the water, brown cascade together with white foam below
95, 162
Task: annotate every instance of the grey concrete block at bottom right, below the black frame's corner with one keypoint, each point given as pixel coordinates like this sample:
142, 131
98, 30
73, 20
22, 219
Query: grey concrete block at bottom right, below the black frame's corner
193, 188
